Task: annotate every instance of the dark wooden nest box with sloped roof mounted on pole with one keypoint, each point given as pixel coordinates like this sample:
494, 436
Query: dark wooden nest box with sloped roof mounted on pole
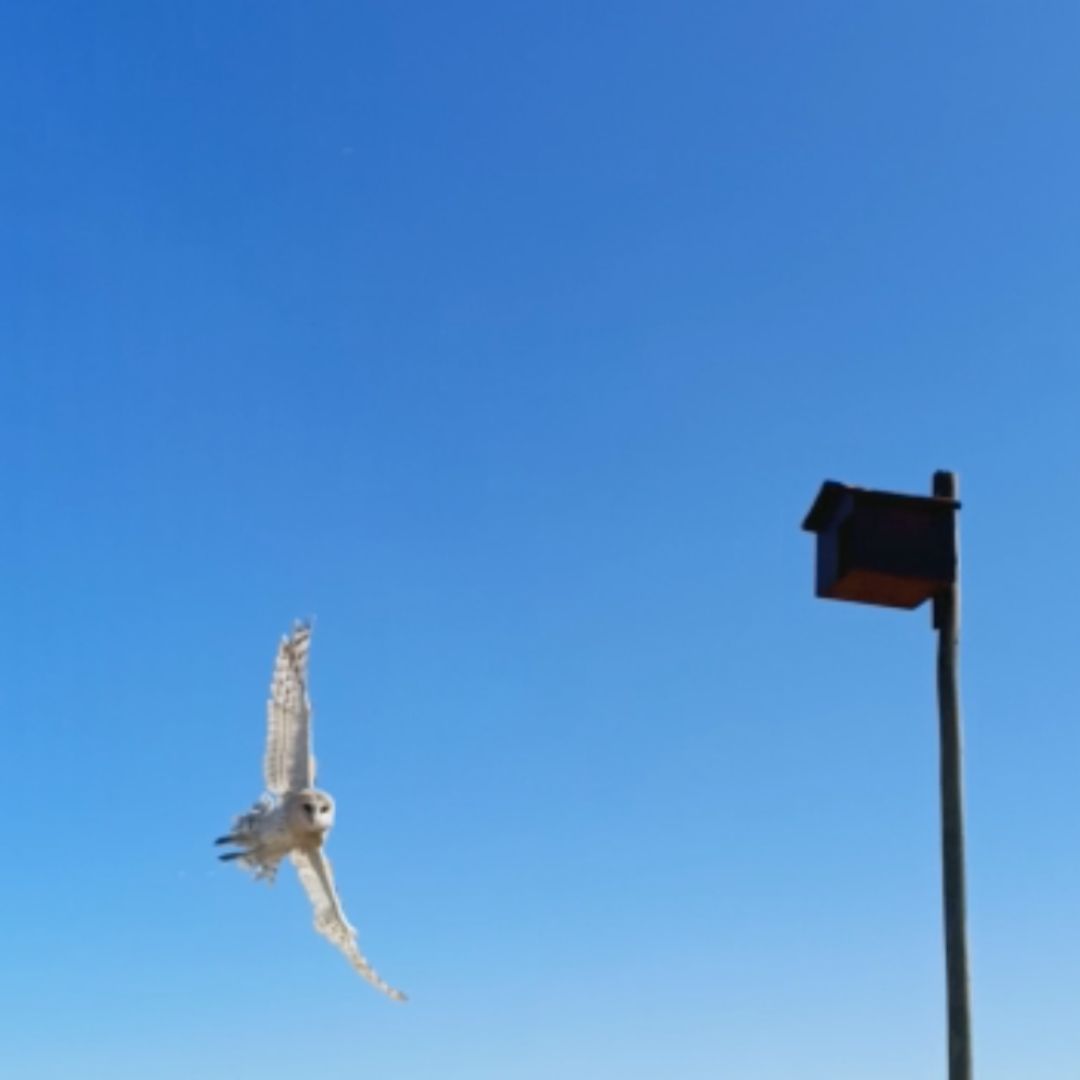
881, 547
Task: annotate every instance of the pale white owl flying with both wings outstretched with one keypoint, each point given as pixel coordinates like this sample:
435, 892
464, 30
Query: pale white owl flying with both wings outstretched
294, 818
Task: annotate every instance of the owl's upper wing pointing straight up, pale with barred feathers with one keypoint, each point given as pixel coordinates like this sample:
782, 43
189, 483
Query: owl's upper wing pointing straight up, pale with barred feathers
289, 765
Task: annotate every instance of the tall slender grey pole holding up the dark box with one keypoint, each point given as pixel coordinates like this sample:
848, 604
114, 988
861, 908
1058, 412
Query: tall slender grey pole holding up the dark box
948, 624
